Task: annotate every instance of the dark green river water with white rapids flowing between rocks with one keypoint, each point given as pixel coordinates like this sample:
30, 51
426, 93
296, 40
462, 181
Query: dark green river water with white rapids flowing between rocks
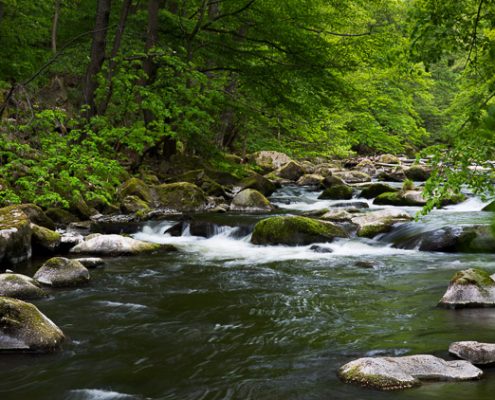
224, 319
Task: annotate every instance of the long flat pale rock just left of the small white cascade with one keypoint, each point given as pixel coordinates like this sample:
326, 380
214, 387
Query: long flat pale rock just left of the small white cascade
115, 245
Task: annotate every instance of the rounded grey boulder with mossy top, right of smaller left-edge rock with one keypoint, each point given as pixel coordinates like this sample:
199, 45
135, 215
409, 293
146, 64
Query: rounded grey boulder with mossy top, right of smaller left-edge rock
62, 272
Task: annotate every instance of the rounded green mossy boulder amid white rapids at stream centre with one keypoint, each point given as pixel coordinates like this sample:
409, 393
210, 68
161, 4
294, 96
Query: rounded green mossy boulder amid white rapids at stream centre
295, 230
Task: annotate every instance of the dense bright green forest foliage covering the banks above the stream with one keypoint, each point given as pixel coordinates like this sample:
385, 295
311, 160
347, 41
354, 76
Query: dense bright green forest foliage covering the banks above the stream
92, 91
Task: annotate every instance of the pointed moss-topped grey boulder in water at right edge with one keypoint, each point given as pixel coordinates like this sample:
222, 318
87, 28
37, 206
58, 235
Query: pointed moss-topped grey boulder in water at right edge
470, 288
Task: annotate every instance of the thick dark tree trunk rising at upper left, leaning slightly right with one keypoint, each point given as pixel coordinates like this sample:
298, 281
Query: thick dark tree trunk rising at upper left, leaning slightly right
98, 48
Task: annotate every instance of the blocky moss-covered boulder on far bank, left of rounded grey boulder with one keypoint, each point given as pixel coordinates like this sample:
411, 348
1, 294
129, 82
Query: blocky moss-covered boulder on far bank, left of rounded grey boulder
181, 196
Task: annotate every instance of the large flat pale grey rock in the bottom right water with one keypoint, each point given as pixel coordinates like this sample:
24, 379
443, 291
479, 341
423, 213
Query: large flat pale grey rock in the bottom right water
395, 373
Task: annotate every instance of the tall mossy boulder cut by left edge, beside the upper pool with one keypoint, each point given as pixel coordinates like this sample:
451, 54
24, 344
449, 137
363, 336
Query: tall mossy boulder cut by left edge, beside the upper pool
15, 236
